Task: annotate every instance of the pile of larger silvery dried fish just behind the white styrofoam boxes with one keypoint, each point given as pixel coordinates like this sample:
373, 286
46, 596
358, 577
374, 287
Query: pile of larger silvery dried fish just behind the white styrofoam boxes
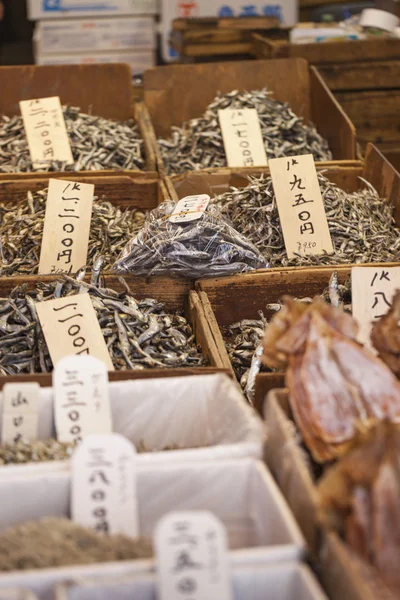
138, 334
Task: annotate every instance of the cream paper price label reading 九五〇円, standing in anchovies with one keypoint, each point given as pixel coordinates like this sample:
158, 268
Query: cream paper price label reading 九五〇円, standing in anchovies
301, 208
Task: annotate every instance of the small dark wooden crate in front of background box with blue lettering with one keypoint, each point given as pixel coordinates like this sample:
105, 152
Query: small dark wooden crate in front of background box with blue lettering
209, 37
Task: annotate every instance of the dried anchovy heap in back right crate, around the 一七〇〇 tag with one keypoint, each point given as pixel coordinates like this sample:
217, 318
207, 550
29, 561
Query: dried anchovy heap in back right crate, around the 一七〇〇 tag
198, 144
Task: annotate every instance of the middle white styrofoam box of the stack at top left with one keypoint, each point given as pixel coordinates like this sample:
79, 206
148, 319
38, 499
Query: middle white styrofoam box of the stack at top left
94, 35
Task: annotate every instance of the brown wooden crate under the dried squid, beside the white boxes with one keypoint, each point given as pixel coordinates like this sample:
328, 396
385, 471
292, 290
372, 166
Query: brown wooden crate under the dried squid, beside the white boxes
344, 576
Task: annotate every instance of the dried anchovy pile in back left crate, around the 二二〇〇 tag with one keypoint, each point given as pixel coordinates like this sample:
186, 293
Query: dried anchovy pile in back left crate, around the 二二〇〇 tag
96, 144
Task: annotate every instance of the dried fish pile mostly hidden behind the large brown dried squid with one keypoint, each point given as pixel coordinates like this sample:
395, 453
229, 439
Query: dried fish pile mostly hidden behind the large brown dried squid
243, 339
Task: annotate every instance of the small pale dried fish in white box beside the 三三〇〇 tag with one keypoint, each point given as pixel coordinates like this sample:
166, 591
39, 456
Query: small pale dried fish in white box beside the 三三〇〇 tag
36, 451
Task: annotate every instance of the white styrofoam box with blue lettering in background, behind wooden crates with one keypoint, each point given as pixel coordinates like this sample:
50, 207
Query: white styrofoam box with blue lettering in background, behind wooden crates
286, 10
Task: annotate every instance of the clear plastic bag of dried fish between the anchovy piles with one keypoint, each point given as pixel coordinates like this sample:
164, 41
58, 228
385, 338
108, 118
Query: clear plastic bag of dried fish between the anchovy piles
207, 247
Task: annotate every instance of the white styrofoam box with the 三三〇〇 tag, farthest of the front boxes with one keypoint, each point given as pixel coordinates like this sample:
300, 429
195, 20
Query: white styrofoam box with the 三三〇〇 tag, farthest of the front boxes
205, 414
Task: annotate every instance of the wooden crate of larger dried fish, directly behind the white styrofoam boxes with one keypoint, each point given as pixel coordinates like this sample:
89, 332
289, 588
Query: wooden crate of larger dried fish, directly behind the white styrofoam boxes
176, 294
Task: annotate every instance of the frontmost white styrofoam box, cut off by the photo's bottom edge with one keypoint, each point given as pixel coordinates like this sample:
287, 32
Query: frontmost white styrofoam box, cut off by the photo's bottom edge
288, 581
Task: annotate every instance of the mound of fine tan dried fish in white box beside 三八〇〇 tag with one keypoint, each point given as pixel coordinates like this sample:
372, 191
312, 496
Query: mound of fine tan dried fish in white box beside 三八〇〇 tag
56, 542
